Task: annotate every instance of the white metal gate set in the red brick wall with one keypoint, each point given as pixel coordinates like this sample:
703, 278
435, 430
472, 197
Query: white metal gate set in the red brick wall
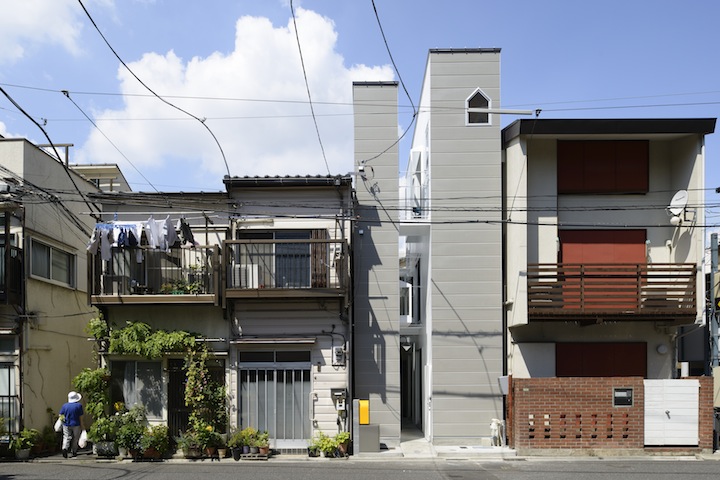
671, 412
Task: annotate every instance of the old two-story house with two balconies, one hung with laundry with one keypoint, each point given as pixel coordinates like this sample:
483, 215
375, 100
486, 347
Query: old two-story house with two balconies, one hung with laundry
260, 273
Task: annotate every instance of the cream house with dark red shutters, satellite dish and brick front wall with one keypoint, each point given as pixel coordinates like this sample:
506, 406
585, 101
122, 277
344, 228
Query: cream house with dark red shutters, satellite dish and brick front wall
604, 221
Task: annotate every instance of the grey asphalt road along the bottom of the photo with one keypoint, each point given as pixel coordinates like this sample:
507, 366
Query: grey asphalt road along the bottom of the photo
402, 469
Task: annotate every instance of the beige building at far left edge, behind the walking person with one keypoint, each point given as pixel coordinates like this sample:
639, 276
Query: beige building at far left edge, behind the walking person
43, 309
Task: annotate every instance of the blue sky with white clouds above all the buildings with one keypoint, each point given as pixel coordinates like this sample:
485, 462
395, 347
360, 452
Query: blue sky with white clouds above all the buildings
235, 64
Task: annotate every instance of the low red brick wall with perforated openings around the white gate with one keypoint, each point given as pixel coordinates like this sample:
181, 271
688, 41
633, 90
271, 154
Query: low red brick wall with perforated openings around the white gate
576, 413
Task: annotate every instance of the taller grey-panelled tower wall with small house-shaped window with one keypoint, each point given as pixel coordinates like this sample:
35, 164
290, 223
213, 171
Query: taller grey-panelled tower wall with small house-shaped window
467, 312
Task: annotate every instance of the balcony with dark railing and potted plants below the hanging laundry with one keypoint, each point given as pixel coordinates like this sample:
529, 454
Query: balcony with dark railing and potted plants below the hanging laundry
144, 275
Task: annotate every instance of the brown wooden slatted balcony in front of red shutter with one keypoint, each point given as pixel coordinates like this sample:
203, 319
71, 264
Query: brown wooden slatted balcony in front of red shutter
612, 292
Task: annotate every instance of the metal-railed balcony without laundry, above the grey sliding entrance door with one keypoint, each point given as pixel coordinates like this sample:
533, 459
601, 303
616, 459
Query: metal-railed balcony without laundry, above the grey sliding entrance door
266, 268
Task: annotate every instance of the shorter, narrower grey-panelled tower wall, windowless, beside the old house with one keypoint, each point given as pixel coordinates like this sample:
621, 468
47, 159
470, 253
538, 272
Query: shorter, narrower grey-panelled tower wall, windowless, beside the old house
376, 271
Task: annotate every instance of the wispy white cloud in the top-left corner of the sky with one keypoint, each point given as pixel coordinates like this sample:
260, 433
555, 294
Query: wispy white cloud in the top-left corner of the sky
29, 24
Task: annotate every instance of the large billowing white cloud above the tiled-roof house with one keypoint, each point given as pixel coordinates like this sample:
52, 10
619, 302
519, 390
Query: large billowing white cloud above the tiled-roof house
268, 132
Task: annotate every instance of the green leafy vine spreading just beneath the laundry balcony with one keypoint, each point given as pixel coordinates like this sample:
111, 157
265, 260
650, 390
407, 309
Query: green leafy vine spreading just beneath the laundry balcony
138, 338
